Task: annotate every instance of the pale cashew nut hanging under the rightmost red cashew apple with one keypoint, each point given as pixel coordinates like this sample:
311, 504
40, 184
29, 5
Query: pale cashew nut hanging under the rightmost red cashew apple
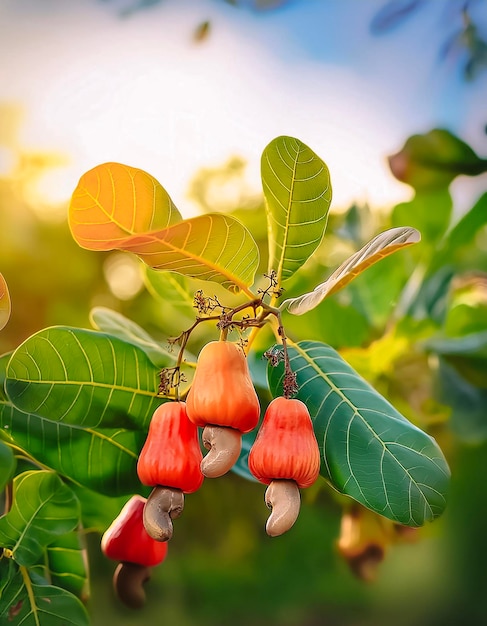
284, 499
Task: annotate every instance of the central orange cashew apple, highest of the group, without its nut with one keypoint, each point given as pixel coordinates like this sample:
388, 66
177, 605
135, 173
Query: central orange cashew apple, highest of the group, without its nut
222, 392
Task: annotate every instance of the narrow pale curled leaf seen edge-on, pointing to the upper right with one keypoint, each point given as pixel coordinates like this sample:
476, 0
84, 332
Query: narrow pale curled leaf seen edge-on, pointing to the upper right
379, 247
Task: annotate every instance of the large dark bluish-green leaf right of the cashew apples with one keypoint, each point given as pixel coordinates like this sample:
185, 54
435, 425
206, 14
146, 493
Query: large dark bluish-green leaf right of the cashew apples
369, 450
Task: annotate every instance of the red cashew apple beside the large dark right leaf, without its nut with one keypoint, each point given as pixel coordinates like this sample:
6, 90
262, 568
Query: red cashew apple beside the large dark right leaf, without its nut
286, 446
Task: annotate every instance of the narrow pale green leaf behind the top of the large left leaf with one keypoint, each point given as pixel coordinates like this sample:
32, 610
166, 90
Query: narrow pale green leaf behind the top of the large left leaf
117, 325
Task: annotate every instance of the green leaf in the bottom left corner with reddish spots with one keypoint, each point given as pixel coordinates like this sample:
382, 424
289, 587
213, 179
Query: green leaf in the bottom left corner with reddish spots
23, 603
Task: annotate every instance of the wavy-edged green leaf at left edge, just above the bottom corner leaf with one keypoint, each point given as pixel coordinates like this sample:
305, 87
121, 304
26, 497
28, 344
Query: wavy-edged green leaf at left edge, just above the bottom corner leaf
43, 508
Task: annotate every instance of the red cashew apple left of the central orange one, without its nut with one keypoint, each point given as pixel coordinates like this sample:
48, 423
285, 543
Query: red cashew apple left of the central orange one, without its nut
171, 455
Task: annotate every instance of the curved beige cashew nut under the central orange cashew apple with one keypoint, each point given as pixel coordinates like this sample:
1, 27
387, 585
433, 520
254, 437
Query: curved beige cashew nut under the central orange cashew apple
224, 445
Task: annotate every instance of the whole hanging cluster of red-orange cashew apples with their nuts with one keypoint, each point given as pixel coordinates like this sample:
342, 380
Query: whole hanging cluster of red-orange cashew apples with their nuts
223, 402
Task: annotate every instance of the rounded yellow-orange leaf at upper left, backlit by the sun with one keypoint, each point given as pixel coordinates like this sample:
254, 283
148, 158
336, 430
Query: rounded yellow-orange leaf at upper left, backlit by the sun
113, 201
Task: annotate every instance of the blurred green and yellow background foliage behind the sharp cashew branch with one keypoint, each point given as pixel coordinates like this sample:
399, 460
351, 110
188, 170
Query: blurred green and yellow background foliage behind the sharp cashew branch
414, 325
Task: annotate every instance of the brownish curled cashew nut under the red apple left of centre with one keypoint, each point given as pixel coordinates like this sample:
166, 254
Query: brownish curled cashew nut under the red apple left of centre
163, 505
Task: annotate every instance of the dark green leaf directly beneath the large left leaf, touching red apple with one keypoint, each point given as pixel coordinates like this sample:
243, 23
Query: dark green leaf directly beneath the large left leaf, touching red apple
101, 459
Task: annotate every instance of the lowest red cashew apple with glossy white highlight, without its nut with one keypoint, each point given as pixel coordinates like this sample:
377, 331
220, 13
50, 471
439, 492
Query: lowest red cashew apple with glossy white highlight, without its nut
127, 541
